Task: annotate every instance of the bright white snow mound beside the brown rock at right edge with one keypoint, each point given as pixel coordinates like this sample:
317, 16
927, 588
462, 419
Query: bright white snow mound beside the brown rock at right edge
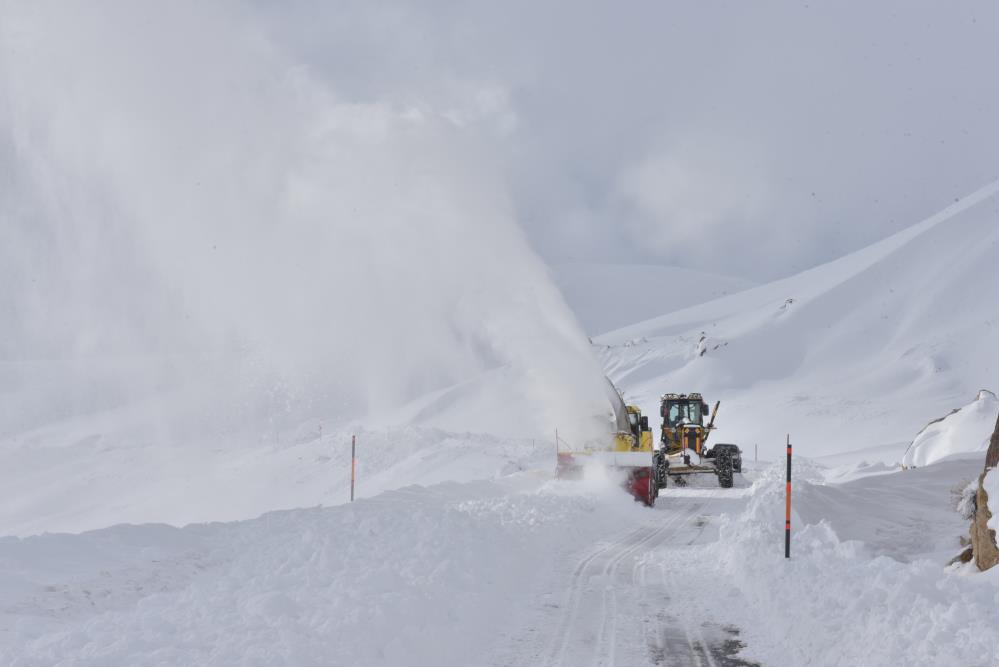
966, 430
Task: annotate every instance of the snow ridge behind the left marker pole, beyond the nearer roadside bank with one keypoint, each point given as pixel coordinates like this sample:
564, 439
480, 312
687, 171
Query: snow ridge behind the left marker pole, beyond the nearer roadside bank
90, 480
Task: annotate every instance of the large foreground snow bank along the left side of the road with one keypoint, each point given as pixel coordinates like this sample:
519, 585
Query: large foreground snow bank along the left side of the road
416, 576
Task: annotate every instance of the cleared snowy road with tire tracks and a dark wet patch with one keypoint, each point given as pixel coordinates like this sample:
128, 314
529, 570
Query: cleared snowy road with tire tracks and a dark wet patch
623, 601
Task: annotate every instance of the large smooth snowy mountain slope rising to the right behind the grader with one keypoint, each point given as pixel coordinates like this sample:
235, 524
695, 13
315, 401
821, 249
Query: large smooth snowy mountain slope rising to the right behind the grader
851, 355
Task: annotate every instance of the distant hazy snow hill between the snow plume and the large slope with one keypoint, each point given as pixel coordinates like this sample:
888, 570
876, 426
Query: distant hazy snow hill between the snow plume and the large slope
605, 297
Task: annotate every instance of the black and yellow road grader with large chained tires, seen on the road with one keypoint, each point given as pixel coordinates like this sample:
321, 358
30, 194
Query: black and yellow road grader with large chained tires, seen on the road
683, 449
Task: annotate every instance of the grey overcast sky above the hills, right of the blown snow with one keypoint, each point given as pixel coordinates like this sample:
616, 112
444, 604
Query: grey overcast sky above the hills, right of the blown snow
754, 139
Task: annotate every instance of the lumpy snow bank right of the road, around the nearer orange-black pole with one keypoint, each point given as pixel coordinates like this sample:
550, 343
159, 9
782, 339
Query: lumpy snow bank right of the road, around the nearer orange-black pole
833, 603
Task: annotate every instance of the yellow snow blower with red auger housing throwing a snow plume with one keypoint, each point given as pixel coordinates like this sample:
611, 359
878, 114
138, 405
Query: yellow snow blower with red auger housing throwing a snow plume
629, 451
